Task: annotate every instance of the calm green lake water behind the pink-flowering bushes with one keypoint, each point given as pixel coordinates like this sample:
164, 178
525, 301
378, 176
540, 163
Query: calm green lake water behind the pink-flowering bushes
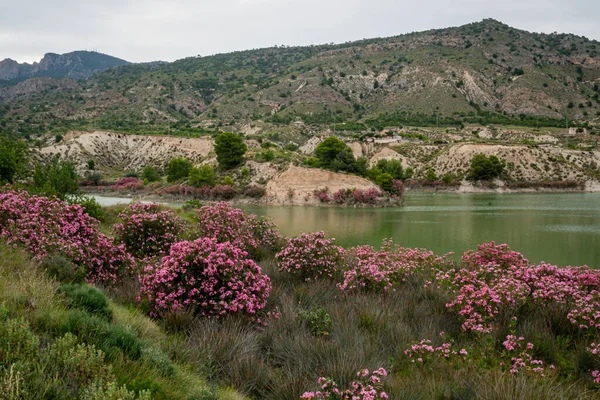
562, 229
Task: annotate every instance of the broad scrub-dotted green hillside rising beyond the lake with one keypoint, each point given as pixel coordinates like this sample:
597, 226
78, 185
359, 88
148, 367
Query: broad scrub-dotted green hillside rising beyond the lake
484, 72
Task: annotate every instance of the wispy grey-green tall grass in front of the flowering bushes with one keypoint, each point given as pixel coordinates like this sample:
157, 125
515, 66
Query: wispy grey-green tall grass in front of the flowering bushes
284, 359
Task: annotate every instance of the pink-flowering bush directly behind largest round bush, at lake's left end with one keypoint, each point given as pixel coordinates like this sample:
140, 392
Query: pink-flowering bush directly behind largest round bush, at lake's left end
245, 231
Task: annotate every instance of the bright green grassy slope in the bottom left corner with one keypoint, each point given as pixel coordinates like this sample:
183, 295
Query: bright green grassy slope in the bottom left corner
72, 341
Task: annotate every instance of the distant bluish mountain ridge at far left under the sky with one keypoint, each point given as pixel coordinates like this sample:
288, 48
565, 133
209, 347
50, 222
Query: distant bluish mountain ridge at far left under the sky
75, 65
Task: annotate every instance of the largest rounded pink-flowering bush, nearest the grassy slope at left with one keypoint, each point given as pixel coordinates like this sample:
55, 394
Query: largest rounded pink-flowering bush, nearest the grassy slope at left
217, 278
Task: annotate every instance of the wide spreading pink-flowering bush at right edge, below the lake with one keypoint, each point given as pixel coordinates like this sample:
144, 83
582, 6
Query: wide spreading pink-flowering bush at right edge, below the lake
496, 279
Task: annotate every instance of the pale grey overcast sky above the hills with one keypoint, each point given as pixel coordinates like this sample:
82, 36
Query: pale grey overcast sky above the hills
149, 30
